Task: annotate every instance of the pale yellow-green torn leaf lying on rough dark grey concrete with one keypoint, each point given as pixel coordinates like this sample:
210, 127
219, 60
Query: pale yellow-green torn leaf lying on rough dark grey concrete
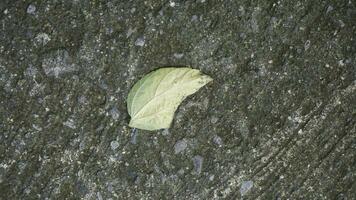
153, 100
